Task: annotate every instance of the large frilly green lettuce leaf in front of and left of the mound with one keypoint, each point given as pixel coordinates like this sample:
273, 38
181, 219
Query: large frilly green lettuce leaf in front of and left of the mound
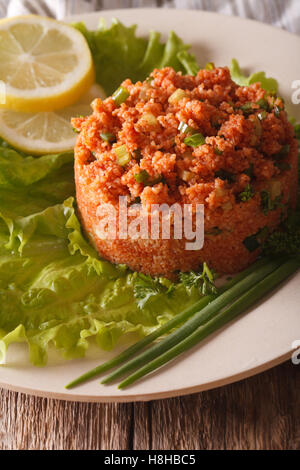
54, 290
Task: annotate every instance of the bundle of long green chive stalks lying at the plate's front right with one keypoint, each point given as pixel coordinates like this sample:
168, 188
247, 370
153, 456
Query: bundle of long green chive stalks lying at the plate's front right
248, 287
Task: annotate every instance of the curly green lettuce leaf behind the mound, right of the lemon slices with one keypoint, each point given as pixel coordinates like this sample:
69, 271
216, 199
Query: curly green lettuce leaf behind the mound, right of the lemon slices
119, 54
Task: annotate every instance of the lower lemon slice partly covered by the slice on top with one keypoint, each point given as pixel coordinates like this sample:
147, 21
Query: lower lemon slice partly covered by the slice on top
45, 133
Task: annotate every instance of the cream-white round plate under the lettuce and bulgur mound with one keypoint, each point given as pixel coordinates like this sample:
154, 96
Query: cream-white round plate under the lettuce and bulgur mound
258, 340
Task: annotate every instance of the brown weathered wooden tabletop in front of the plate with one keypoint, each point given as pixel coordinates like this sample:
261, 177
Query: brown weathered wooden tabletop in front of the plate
262, 412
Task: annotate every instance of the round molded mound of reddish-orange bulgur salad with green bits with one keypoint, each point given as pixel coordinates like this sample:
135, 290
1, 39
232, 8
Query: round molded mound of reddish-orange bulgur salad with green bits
190, 140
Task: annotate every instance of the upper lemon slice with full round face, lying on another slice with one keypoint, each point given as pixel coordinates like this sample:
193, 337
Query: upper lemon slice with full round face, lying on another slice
45, 64
